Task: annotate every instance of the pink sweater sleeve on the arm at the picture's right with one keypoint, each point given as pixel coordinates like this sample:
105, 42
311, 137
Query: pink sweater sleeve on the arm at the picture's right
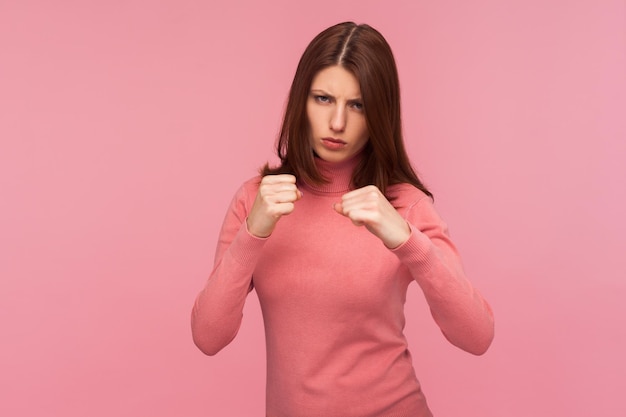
459, 310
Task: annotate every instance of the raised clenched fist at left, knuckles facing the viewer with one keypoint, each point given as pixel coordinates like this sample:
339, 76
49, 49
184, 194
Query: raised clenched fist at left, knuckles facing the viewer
275, 198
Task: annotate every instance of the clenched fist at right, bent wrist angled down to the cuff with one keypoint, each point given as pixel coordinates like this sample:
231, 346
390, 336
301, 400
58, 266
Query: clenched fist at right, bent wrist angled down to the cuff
368, 207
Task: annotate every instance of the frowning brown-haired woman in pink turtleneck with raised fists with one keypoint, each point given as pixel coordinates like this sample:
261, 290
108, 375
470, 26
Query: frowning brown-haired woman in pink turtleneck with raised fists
331, 239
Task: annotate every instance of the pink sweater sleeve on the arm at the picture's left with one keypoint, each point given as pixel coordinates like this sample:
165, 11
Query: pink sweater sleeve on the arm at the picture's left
218, 308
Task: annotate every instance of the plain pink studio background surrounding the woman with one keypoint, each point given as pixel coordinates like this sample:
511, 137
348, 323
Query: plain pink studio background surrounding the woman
126, 127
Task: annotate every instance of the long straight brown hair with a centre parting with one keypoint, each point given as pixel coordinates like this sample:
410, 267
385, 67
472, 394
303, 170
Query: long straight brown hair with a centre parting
364, 52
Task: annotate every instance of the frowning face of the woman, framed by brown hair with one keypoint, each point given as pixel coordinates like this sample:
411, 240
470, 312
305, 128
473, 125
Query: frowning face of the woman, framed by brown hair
335, 113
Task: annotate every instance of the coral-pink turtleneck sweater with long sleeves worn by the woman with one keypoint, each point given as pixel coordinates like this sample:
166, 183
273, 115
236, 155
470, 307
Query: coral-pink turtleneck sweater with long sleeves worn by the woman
333, 296
